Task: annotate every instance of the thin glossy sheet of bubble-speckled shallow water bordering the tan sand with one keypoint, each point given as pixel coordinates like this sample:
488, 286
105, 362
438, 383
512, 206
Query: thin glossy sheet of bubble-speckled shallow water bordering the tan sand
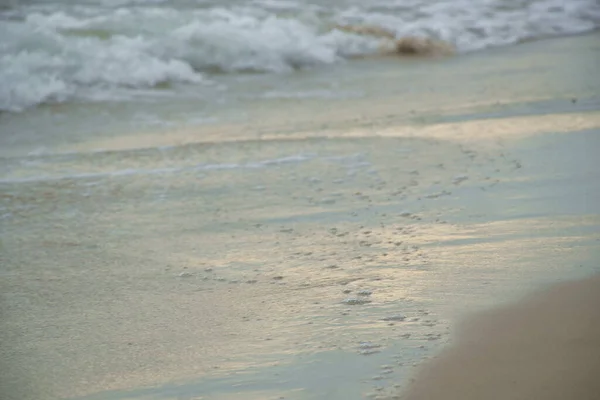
286, 269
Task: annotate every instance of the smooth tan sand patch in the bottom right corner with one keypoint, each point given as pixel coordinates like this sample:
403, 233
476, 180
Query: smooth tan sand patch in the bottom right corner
546, 347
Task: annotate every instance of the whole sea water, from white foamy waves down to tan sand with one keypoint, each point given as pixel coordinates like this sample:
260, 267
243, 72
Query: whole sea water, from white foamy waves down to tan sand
297, 223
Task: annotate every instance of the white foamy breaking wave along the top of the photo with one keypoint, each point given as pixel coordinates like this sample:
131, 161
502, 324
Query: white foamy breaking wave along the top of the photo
54, 51
